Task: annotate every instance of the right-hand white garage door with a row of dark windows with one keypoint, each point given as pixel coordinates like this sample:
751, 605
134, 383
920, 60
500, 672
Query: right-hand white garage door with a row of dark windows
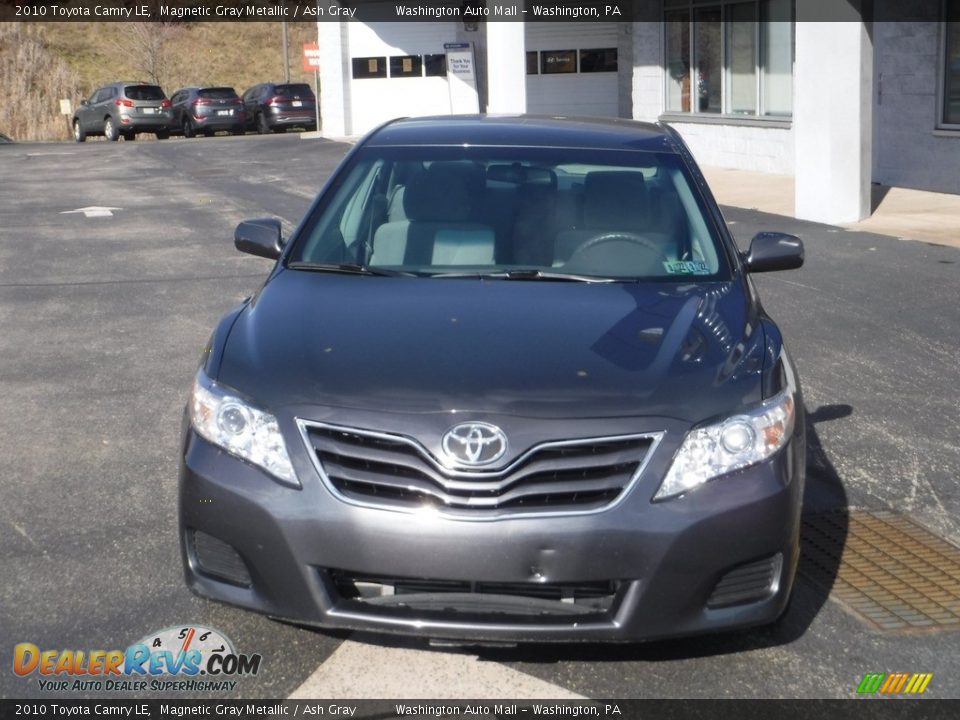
572, 68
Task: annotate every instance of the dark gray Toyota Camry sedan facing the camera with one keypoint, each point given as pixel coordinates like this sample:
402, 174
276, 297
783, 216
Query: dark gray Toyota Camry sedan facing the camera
509, 380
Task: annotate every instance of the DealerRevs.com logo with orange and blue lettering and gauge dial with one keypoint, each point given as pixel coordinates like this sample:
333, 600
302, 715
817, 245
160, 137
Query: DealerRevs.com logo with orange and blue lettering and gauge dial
188, 658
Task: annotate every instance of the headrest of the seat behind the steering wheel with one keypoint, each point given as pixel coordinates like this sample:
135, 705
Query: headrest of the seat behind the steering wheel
614, 200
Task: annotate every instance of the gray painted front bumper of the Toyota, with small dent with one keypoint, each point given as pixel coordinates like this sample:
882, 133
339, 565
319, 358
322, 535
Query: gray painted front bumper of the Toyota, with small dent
664, 560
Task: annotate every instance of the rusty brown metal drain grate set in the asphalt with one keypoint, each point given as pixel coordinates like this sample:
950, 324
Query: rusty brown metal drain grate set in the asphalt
886, 569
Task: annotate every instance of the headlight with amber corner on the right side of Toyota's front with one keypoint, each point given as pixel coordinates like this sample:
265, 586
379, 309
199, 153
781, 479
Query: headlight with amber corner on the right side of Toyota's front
735, 443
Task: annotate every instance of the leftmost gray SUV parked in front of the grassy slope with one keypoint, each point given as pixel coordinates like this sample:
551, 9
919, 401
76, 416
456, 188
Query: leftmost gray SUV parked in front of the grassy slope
123, 109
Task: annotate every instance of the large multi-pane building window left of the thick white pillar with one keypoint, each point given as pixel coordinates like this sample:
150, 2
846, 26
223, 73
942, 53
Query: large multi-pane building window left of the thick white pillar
729, 57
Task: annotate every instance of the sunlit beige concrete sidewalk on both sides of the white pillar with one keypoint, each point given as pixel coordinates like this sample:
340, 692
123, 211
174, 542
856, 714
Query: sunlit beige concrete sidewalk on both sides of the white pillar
901, 212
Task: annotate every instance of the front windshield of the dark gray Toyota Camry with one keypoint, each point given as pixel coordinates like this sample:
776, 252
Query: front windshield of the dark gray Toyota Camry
514, 213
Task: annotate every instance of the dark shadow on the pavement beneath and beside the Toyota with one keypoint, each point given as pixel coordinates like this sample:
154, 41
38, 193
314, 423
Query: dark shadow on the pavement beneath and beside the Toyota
824, 493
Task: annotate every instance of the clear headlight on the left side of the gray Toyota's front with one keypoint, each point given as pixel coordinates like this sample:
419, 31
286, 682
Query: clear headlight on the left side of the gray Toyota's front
239, 428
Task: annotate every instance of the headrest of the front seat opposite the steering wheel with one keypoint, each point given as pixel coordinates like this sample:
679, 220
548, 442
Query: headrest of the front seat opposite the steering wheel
444, 192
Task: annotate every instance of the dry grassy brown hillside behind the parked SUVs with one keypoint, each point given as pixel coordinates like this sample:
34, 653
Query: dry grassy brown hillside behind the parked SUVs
40, 63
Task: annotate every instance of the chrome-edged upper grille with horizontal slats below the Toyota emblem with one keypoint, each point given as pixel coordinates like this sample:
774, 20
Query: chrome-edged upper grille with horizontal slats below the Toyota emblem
395, 472
